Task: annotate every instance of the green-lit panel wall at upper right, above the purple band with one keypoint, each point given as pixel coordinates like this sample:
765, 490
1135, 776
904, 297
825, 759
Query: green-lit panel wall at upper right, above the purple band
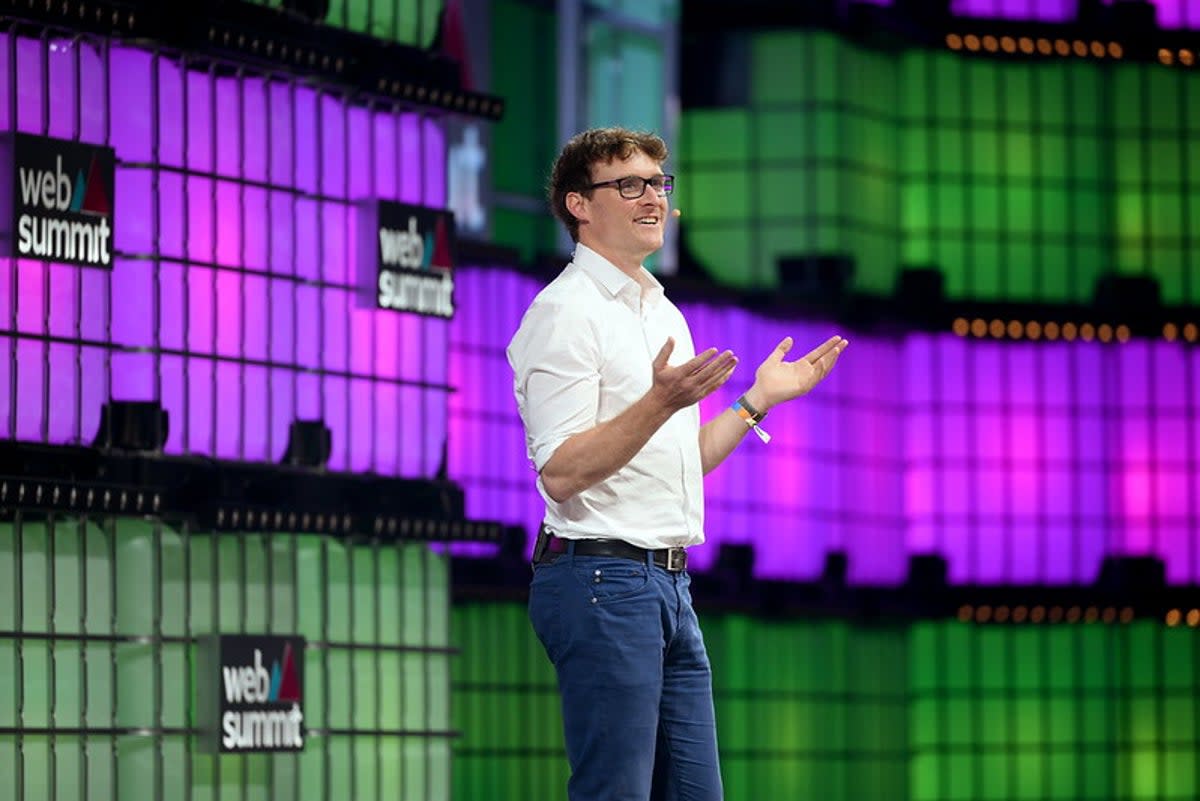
1018, 179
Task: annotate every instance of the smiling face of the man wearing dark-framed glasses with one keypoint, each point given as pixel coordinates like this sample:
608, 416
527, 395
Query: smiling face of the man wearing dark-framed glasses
623, 231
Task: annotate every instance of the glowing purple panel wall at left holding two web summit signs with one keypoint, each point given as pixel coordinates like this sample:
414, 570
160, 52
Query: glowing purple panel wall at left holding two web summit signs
235, 299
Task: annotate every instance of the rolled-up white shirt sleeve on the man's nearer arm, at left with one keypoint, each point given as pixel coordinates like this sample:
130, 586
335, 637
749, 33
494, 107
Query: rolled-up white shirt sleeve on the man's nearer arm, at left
556, 374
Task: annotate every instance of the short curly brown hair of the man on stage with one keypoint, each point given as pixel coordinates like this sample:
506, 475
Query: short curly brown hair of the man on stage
573, 170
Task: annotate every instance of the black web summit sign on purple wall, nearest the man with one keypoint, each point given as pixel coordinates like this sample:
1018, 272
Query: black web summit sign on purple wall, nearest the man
407, 257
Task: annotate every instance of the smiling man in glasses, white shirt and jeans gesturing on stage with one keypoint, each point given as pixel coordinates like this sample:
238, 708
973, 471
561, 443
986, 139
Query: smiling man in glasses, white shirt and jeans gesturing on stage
608, 383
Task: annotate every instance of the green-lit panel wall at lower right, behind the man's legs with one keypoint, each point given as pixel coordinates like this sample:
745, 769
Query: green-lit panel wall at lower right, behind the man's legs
831, 709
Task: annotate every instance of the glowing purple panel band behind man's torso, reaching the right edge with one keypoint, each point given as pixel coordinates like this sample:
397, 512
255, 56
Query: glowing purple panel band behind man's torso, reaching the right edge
1023, 462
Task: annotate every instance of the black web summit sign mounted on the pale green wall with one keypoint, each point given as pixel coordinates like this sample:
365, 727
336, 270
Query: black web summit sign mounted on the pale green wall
254, 694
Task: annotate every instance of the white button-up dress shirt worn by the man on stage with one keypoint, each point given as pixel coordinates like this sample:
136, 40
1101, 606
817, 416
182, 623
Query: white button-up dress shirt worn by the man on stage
583, 356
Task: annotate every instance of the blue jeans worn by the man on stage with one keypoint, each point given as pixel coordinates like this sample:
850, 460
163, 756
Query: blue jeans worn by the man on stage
634, 677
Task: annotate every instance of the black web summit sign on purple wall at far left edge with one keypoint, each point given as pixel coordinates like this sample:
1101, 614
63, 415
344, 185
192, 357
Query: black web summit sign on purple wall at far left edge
61, 201
